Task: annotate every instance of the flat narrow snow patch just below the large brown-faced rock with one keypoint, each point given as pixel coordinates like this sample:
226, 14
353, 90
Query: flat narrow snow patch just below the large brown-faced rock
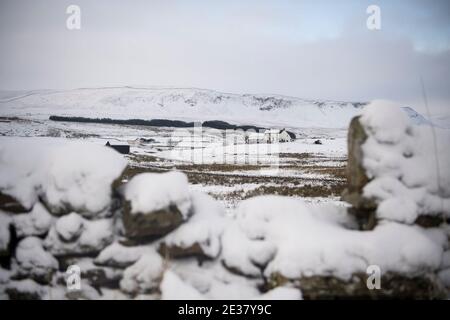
117, 255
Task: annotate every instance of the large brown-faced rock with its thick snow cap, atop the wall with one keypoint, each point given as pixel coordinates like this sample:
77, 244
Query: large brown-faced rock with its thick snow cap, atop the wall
155, 204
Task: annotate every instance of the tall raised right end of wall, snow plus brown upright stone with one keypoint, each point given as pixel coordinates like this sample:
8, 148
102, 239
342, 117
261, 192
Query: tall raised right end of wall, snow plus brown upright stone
398, 171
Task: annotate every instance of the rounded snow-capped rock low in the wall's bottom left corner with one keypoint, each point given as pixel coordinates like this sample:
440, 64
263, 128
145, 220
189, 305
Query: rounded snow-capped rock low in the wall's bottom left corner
33, 261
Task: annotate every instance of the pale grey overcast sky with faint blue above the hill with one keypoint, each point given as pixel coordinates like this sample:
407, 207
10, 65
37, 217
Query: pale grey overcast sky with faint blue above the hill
310, 49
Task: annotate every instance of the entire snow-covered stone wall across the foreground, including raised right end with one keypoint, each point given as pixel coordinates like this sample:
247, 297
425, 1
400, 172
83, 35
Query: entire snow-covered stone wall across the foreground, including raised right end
64, 206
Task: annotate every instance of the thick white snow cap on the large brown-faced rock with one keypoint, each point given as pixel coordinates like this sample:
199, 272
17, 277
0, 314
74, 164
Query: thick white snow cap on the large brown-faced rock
148, 192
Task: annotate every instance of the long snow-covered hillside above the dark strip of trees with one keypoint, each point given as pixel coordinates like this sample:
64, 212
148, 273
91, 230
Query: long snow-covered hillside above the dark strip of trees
180, 104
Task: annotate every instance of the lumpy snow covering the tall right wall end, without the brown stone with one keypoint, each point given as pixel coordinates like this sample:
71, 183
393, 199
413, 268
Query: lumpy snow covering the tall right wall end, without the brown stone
408, 164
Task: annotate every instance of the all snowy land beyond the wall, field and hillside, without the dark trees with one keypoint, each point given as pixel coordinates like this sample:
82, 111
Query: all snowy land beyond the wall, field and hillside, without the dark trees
217, 162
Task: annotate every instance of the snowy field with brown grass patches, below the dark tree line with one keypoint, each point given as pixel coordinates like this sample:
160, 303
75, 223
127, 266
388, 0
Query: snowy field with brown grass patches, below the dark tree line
227, 169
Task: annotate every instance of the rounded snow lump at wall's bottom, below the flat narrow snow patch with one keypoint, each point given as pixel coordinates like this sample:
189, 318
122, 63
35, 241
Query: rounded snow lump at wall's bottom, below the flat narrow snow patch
144, 275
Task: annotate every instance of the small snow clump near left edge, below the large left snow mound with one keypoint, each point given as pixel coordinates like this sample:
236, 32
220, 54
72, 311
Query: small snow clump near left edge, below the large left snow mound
35, 223
